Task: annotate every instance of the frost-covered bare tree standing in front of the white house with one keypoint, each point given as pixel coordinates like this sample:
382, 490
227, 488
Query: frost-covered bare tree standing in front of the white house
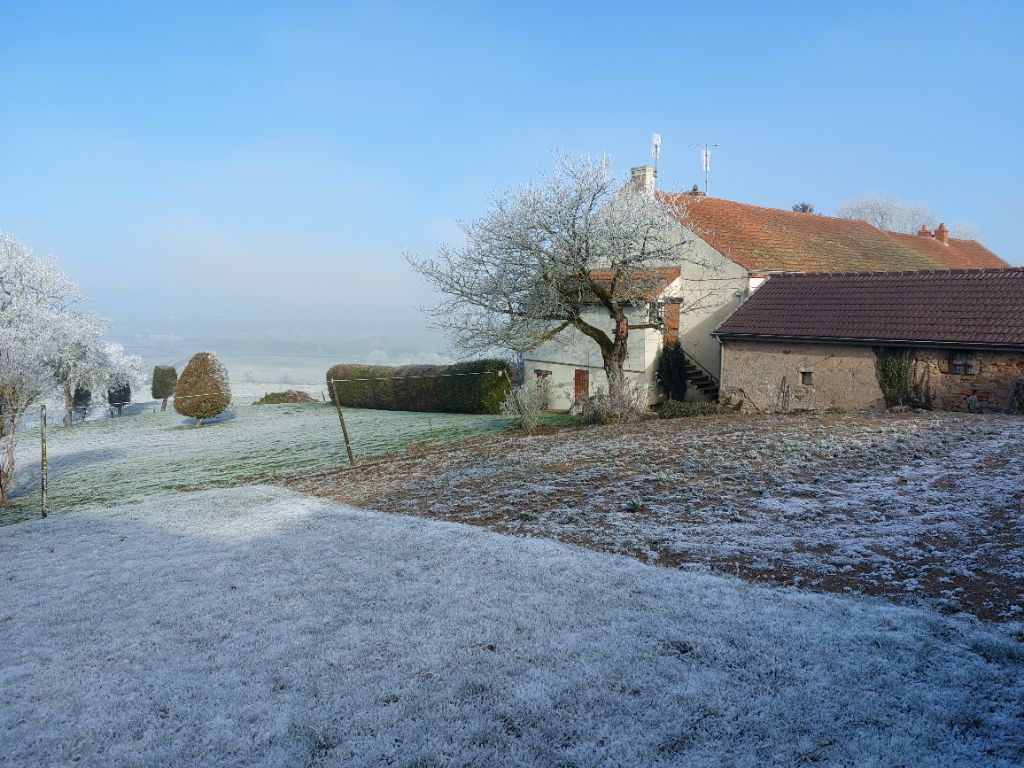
546, 253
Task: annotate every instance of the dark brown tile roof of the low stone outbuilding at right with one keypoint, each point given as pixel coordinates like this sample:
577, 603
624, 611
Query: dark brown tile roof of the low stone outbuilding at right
971, 308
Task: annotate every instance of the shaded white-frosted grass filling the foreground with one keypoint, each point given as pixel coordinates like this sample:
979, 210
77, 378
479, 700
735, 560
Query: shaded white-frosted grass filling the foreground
251, 626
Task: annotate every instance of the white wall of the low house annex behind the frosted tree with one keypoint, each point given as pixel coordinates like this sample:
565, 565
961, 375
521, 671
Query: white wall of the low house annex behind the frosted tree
571, 352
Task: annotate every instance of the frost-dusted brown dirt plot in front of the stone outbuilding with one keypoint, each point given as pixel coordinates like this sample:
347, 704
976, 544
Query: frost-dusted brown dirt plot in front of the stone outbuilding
923, 507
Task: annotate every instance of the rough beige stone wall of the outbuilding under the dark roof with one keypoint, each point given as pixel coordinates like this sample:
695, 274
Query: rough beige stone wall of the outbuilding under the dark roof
784, 376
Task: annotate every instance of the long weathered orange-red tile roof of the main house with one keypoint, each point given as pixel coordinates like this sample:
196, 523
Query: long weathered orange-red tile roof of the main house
773, 240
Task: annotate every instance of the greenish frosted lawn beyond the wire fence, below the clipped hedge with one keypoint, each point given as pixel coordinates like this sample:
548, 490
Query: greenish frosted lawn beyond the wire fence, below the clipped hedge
129, 458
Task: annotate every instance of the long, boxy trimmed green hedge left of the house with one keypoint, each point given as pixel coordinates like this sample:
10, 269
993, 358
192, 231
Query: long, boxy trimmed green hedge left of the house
475, 388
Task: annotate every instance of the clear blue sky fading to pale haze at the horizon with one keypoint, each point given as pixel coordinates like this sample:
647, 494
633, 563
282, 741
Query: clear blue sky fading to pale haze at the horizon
257, 170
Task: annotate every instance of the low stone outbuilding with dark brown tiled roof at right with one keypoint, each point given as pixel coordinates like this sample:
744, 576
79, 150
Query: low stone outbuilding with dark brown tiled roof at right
947, 339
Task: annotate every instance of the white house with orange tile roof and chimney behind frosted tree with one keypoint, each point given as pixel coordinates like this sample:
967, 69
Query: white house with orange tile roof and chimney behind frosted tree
727, 250
